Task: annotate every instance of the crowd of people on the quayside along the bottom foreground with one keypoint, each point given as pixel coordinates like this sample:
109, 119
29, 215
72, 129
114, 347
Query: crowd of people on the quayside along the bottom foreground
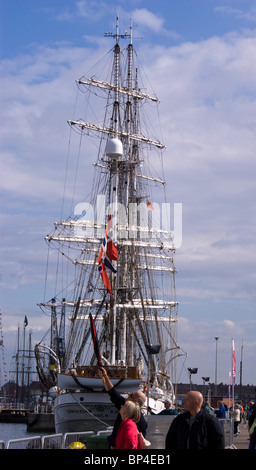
196, 427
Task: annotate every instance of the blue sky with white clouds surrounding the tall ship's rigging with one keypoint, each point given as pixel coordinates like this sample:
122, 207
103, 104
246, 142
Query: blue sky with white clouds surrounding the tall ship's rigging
199, 56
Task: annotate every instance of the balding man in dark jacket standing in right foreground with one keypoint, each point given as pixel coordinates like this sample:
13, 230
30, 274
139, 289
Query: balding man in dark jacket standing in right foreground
195, 428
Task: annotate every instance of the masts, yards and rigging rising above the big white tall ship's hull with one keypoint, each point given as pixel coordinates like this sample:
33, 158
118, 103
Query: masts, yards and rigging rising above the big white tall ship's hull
136, 309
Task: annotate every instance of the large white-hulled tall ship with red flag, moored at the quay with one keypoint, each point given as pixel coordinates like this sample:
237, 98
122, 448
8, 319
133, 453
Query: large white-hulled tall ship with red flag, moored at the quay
118, 307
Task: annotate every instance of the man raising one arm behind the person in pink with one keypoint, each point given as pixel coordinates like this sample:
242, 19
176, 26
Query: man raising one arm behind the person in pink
118, 401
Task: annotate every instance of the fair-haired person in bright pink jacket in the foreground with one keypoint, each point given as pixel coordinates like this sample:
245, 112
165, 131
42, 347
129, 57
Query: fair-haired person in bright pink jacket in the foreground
127, 434
